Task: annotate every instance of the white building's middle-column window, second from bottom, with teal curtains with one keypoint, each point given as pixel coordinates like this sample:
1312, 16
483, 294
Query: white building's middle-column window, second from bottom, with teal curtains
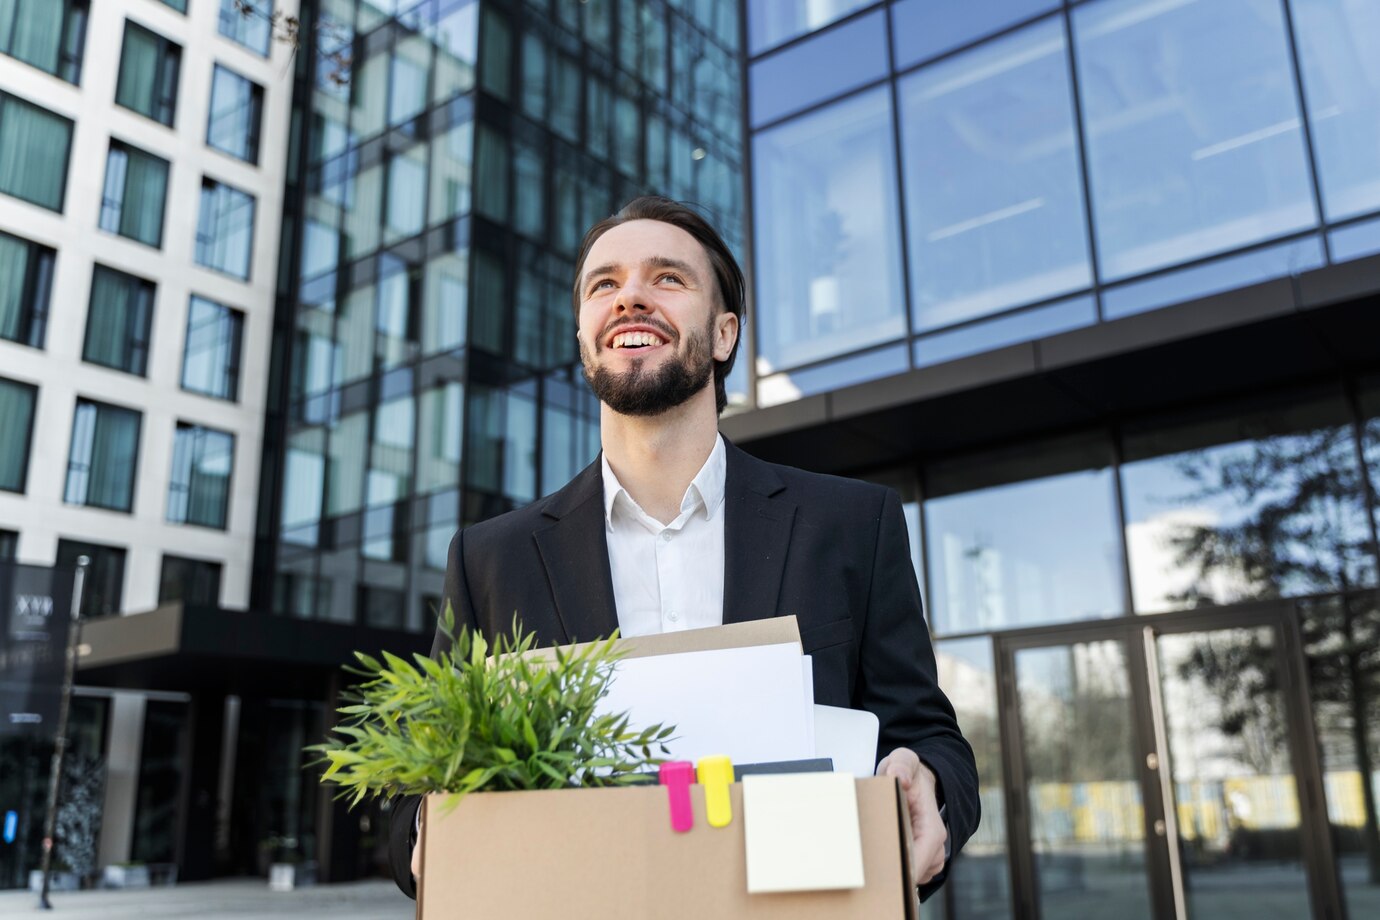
106, 452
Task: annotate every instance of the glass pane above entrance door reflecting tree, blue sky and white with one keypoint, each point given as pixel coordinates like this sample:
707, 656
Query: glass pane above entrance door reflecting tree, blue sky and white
1247, 508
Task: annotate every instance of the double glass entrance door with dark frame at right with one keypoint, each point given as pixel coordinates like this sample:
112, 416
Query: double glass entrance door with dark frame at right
1163, 770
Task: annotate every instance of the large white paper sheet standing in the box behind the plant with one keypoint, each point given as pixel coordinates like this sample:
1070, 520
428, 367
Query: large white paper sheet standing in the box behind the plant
743, 703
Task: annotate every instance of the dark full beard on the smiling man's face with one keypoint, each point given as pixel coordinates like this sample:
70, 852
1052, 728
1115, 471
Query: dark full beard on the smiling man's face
641, 392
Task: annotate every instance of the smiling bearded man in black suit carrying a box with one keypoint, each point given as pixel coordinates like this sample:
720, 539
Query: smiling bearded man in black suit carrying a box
676, 529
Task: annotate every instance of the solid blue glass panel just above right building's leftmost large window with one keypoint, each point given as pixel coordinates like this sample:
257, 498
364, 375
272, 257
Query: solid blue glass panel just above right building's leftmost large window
825, 67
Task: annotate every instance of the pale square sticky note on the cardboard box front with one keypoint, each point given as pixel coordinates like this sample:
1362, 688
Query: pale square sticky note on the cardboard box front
802, 832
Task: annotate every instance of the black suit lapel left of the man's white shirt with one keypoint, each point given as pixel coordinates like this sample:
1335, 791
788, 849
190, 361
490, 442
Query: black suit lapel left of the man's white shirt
575, 552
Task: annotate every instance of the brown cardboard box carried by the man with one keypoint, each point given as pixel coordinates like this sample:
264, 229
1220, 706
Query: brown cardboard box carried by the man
611, 854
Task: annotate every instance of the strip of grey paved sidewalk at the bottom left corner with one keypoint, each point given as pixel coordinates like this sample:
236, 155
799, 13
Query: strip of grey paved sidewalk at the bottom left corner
224, 900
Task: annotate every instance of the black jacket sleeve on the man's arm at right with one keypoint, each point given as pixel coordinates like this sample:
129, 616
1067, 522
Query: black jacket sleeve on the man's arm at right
899, 682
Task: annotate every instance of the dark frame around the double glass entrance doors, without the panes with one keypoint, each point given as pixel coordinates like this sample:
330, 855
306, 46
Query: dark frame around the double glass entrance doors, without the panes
1152, 751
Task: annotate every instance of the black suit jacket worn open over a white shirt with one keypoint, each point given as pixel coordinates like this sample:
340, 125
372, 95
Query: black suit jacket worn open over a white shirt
830, 551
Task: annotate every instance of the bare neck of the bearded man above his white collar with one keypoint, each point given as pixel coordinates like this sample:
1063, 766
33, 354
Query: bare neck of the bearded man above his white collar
658, 457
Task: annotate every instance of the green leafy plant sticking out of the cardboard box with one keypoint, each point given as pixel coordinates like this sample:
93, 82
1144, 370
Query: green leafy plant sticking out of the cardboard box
484, 719
